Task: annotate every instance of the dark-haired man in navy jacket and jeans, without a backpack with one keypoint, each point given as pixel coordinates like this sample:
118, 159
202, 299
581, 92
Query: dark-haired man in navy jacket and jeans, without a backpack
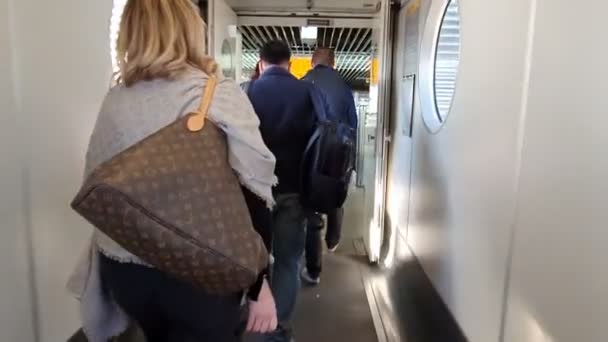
287, 121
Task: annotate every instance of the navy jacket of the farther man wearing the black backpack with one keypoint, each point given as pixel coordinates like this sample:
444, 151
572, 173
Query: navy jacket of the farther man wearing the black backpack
336, 92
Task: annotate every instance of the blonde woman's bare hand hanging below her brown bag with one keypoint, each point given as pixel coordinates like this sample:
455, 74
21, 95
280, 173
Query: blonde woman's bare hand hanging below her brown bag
263, 312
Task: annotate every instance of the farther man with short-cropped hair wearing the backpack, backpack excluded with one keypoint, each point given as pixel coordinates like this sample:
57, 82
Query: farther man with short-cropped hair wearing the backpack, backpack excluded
341, 103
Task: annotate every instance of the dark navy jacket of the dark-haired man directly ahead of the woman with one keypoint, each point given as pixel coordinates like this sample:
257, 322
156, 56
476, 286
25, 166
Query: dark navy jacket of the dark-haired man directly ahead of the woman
287, 121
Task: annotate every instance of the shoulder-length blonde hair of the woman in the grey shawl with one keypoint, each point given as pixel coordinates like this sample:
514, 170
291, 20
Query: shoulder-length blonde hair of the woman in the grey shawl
161, 39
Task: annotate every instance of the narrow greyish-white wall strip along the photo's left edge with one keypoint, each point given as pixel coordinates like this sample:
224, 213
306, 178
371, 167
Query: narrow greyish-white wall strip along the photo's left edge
16, 314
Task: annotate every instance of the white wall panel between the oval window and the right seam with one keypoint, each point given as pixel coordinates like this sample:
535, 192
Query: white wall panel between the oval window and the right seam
464, 177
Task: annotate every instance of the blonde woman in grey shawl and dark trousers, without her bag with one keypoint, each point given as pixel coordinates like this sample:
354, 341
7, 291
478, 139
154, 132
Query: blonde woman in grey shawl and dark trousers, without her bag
163, 71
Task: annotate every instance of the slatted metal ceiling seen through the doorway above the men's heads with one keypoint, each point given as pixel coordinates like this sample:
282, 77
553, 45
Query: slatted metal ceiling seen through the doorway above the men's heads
353, 47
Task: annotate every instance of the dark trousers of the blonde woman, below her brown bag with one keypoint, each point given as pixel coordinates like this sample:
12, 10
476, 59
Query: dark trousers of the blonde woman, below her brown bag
168, 310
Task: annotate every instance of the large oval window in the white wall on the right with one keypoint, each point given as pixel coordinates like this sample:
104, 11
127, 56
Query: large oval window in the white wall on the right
440, 58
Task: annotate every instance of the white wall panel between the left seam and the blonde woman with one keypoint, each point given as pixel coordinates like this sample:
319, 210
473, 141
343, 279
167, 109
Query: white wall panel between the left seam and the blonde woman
63, 71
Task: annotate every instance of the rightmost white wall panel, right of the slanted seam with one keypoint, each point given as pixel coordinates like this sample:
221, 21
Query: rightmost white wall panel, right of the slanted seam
559, 284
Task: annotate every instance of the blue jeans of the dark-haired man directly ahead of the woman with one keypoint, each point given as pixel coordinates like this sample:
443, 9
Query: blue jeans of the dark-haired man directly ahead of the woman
289, 238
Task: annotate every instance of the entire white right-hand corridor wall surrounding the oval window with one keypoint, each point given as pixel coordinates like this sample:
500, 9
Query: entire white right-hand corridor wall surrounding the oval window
508, 206
